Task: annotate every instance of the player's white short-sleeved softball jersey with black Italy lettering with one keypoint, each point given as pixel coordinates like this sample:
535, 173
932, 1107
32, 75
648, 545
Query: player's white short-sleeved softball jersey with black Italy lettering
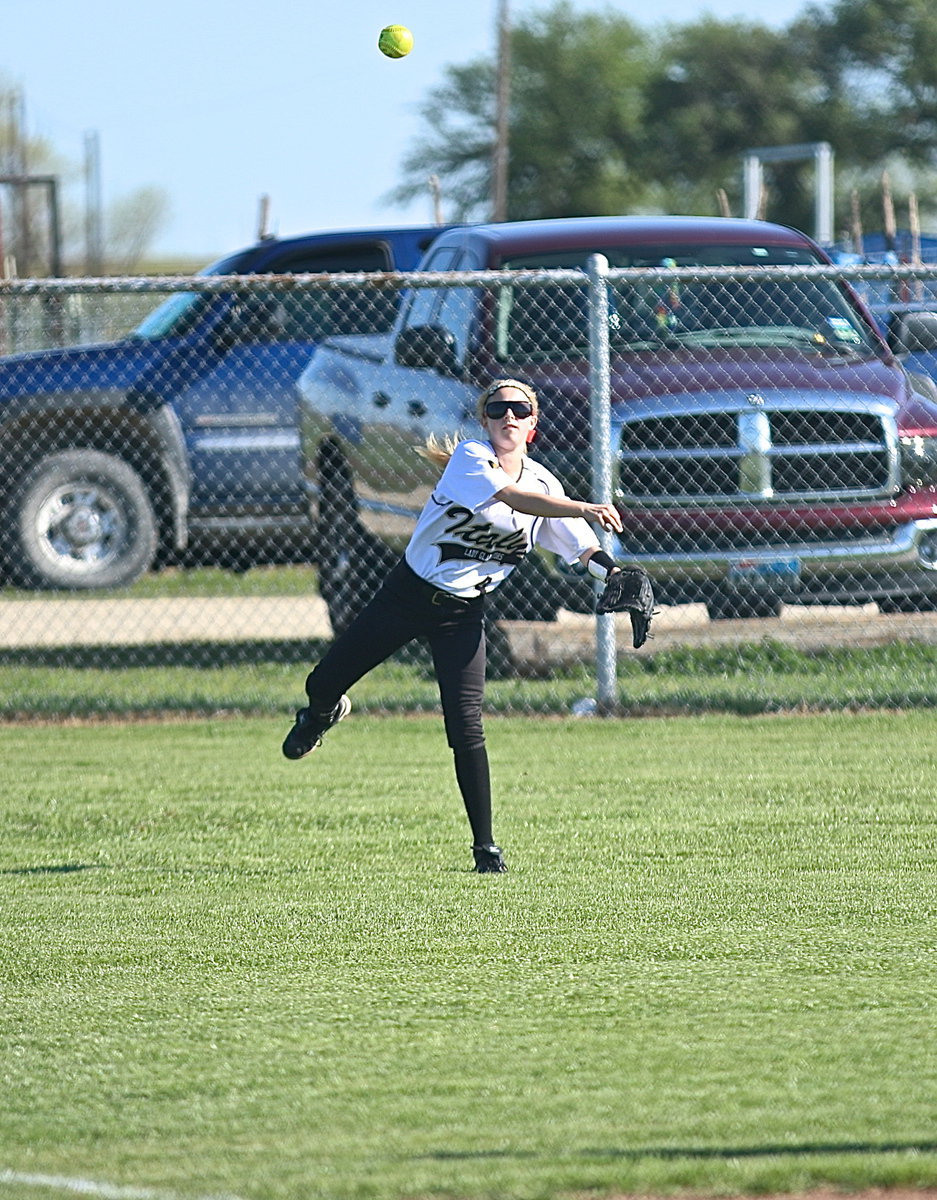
466, 543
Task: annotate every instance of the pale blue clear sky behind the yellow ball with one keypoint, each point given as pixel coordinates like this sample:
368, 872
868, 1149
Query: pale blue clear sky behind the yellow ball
223, 103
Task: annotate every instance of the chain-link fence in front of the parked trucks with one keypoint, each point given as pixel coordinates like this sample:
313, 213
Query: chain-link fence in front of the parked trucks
215, 473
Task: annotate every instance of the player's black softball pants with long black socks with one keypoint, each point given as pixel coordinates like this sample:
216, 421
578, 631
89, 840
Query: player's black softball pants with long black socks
406, 609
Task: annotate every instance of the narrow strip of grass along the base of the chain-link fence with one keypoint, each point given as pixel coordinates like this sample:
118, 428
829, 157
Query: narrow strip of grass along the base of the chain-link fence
259, 679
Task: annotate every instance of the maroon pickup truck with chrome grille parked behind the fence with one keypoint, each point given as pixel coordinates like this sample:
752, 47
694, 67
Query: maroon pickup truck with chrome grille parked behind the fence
768, 445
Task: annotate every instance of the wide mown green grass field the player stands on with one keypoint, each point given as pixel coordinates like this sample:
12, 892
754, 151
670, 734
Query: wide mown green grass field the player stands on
713, 967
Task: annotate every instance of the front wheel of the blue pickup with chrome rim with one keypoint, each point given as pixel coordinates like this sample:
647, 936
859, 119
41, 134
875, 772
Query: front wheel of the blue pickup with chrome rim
80, 519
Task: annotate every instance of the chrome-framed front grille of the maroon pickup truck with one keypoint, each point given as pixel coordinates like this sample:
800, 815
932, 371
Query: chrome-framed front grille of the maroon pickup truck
755, 453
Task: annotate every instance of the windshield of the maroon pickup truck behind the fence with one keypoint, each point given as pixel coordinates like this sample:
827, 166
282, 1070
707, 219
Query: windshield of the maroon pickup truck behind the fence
543, 323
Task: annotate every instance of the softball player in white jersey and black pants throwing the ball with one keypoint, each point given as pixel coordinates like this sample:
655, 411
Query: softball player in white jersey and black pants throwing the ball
491, 506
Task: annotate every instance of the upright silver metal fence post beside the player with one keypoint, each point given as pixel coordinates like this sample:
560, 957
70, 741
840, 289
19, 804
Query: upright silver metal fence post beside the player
600, 405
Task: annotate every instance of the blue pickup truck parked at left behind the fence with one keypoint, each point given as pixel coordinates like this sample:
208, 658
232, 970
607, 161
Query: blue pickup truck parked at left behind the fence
115, 454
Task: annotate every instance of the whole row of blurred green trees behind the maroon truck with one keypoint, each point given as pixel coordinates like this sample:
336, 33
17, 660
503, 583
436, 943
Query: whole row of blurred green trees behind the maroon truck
608, 117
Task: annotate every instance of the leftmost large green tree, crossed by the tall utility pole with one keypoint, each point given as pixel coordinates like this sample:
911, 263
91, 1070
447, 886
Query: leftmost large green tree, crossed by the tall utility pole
576, 123
